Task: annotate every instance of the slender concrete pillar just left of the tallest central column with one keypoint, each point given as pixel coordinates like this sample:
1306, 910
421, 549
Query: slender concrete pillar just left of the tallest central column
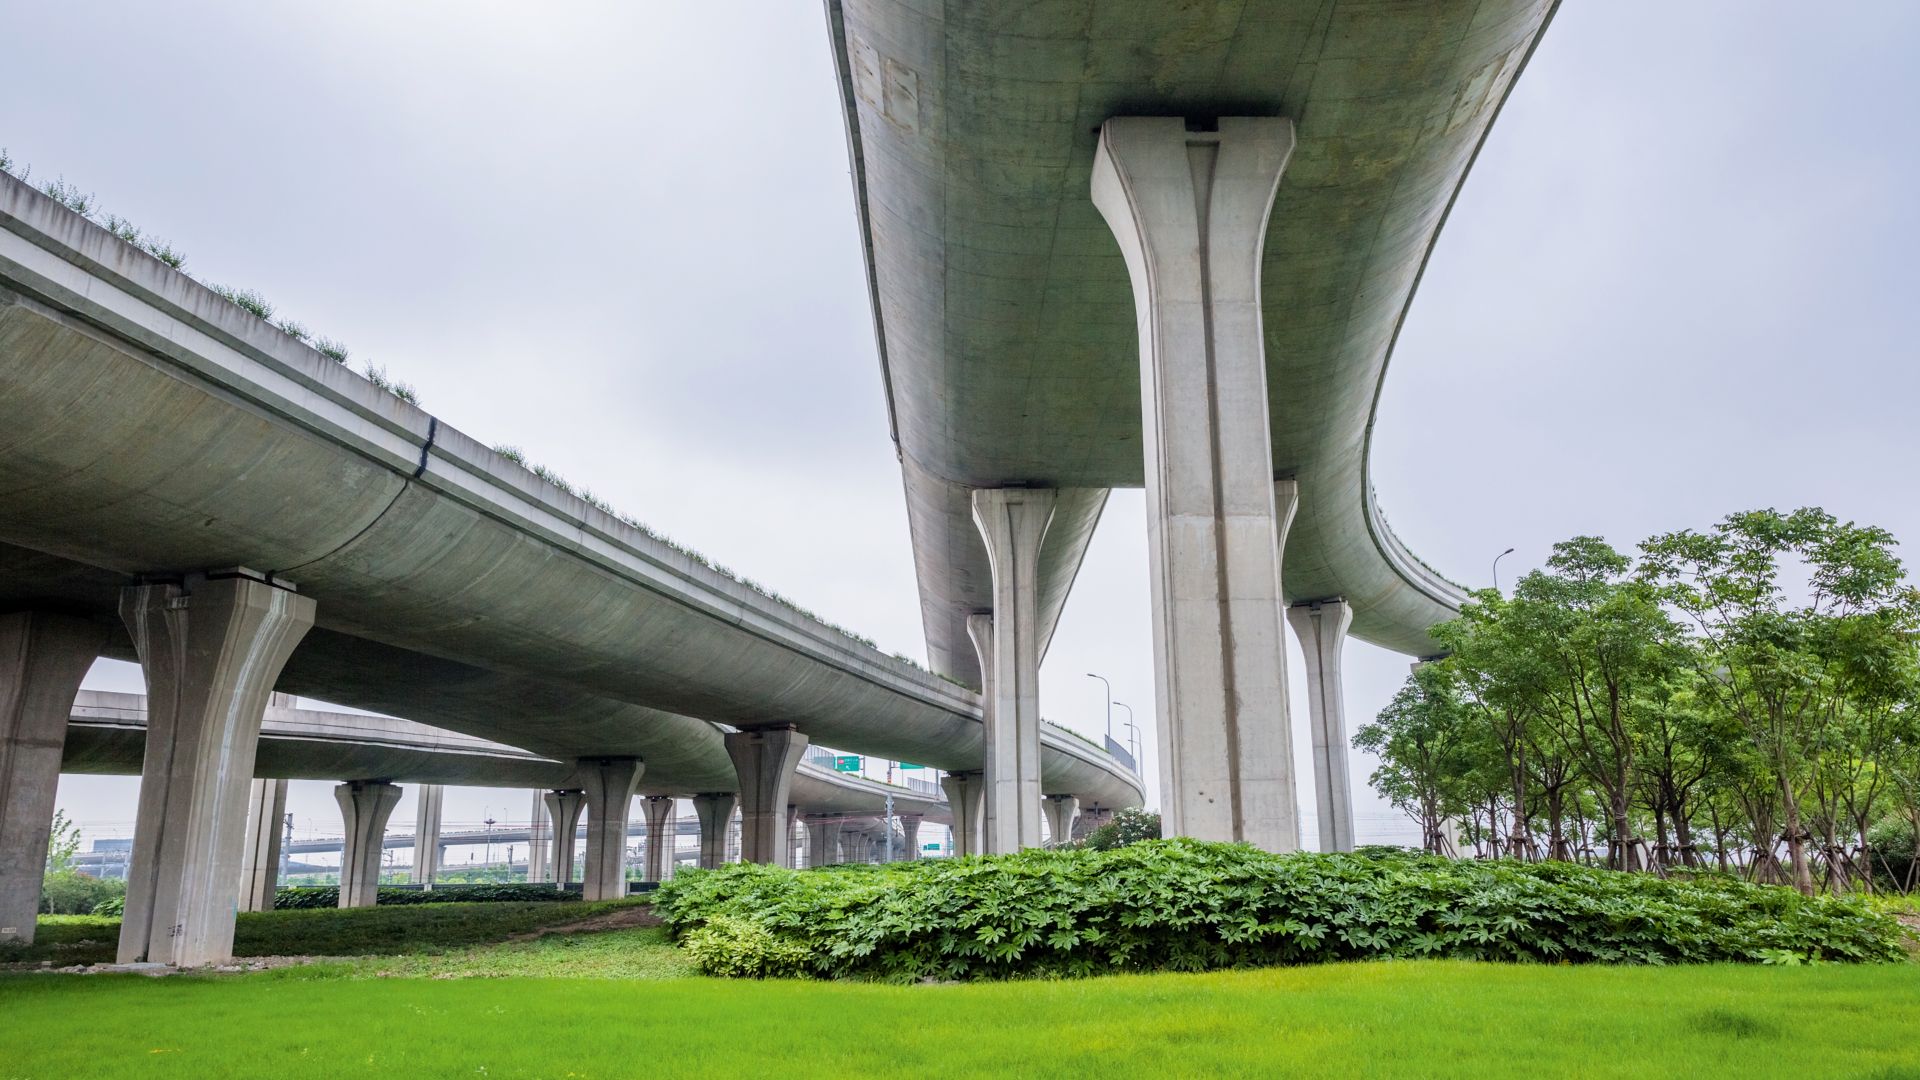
1013, 524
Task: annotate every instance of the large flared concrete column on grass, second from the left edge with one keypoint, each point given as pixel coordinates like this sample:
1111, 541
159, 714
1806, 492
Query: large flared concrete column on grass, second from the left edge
212, 650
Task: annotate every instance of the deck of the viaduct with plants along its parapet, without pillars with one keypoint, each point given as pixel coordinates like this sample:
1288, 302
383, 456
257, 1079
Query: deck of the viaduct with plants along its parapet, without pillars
450, 574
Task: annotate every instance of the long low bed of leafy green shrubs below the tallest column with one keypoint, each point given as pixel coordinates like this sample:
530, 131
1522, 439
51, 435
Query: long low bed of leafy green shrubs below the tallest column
1191, 906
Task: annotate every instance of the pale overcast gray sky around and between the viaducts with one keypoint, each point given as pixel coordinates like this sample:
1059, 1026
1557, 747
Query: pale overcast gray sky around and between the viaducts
621, 237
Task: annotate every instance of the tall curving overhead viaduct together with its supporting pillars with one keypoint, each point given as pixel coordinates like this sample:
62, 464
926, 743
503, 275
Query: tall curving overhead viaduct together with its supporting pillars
1170, 247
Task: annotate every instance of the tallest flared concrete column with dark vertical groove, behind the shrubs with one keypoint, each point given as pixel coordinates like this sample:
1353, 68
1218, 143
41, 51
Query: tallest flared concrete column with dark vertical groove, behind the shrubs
1189, 210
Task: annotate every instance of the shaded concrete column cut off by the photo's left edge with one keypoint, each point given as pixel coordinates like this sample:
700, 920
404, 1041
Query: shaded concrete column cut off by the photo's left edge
43, 660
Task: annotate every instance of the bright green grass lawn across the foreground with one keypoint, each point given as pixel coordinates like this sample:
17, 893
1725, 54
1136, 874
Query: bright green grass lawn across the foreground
621, 1004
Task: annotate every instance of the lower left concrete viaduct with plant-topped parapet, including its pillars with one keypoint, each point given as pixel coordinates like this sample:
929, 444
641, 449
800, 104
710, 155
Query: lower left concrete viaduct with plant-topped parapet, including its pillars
185, 485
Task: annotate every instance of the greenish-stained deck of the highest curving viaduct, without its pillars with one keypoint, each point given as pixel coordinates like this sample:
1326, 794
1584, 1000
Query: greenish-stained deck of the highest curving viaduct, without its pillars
1001, 301
